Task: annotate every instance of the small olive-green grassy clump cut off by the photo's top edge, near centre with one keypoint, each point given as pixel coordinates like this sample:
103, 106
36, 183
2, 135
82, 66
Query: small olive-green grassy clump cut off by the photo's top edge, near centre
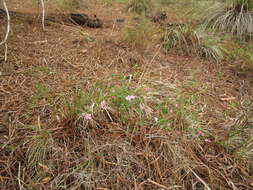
140, 6
